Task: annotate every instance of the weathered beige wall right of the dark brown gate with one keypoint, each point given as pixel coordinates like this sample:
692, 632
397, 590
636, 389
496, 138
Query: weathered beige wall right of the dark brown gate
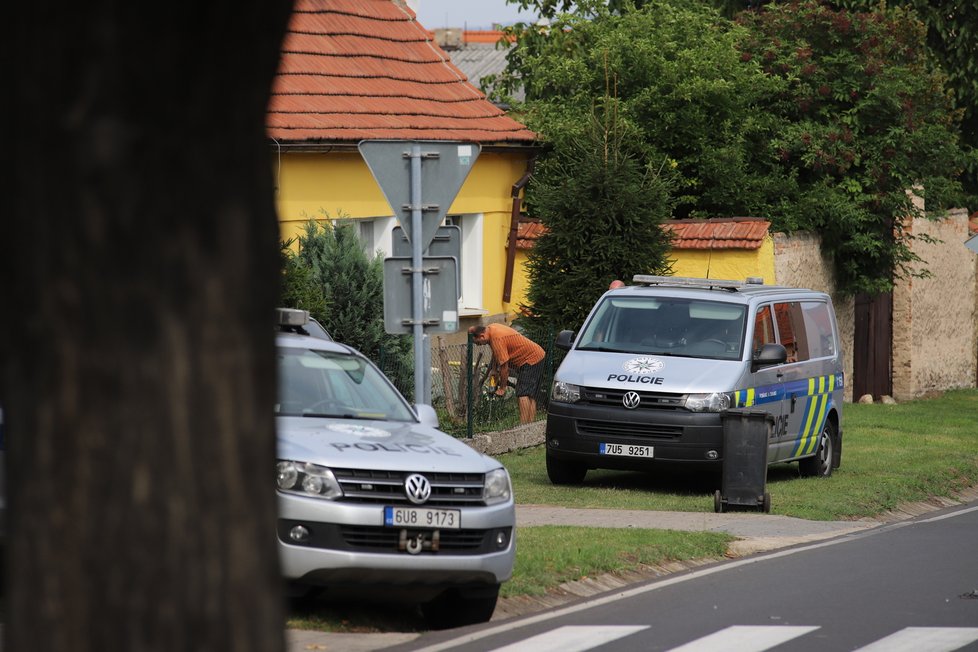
934, 330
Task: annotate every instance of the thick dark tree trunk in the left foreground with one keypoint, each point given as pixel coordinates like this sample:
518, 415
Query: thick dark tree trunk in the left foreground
139, 267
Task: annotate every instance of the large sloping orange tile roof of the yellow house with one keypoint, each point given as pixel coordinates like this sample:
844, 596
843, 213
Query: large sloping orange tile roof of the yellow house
366, 69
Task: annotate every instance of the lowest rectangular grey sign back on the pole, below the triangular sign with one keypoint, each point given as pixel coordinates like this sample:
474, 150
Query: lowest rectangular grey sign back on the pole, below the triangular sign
438, 291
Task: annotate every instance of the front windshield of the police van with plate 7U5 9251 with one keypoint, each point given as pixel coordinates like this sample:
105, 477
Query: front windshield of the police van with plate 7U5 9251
667, 326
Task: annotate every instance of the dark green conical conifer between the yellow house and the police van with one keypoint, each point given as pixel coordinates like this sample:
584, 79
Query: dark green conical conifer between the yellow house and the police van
602, 207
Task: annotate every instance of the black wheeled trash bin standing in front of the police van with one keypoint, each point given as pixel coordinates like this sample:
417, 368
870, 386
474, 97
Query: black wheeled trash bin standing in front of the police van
745, 437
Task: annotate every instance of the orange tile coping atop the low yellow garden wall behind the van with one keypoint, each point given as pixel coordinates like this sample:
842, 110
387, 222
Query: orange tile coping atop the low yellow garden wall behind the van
715, 233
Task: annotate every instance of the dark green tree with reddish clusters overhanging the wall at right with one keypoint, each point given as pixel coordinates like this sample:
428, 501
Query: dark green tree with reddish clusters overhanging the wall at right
865, 119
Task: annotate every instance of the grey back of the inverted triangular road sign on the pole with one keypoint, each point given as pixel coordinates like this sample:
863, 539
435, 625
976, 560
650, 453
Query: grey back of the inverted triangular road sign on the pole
444, 167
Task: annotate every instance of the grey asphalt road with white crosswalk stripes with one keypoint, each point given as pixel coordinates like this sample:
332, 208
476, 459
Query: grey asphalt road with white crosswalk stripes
908, 586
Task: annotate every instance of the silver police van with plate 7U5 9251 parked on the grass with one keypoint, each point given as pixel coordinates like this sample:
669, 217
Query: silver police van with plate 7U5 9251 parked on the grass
656, 365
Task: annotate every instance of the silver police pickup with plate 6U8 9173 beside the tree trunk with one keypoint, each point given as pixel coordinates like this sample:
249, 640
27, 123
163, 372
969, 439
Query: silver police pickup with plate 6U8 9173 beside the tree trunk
373, 496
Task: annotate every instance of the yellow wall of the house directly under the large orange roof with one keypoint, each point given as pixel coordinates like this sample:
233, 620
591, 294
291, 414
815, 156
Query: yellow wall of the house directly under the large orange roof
341, 184
